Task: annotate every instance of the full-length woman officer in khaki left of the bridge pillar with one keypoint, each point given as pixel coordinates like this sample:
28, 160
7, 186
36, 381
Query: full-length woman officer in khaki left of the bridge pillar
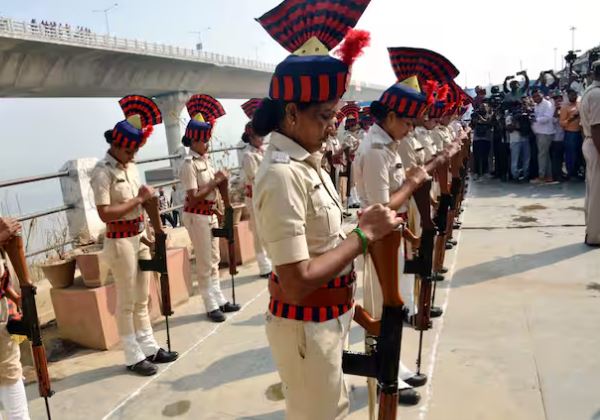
119, 197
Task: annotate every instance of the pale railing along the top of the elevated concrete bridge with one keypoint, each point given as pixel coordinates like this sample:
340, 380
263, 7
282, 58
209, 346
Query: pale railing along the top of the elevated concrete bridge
80, 37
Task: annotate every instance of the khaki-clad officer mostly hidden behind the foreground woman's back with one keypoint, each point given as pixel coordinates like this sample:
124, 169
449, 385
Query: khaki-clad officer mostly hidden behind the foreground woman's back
252, 159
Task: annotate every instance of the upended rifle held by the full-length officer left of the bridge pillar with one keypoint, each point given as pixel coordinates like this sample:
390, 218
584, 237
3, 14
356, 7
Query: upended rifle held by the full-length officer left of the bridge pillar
159, 262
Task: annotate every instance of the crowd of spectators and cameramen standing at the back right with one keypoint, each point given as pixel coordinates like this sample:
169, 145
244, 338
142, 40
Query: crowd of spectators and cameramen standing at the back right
528, 132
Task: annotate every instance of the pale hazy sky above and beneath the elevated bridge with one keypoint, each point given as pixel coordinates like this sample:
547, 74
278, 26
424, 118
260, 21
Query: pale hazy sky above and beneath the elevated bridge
485, 40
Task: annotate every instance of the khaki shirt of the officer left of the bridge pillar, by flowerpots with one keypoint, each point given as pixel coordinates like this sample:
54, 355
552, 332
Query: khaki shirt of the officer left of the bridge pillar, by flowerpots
114, 183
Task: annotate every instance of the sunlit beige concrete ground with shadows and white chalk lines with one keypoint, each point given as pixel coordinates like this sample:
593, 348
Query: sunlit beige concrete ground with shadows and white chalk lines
519, 338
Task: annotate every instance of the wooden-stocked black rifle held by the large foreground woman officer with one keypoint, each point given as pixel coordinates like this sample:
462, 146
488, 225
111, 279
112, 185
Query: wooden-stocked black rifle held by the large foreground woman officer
383, 363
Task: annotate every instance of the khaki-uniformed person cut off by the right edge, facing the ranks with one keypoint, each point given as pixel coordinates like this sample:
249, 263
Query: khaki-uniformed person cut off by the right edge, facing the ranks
590, 121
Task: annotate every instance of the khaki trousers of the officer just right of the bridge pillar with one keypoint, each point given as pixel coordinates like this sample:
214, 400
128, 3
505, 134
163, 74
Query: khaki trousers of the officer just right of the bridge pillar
208, 255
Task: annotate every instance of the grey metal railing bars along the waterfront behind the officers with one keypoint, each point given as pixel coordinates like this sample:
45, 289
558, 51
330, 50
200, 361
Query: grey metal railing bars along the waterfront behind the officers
64, 208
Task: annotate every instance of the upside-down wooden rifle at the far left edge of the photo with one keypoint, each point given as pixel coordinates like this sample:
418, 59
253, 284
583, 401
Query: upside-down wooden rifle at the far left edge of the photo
29, 325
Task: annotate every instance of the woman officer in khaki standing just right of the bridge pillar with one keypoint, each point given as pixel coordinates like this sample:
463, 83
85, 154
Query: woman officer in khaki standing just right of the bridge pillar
201, 183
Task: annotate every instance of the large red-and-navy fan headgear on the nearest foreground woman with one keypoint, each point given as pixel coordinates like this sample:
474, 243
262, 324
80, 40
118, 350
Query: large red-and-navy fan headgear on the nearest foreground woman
309, 29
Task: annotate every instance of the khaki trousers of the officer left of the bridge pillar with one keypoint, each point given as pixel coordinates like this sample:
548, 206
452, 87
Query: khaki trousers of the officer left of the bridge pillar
133, 321
